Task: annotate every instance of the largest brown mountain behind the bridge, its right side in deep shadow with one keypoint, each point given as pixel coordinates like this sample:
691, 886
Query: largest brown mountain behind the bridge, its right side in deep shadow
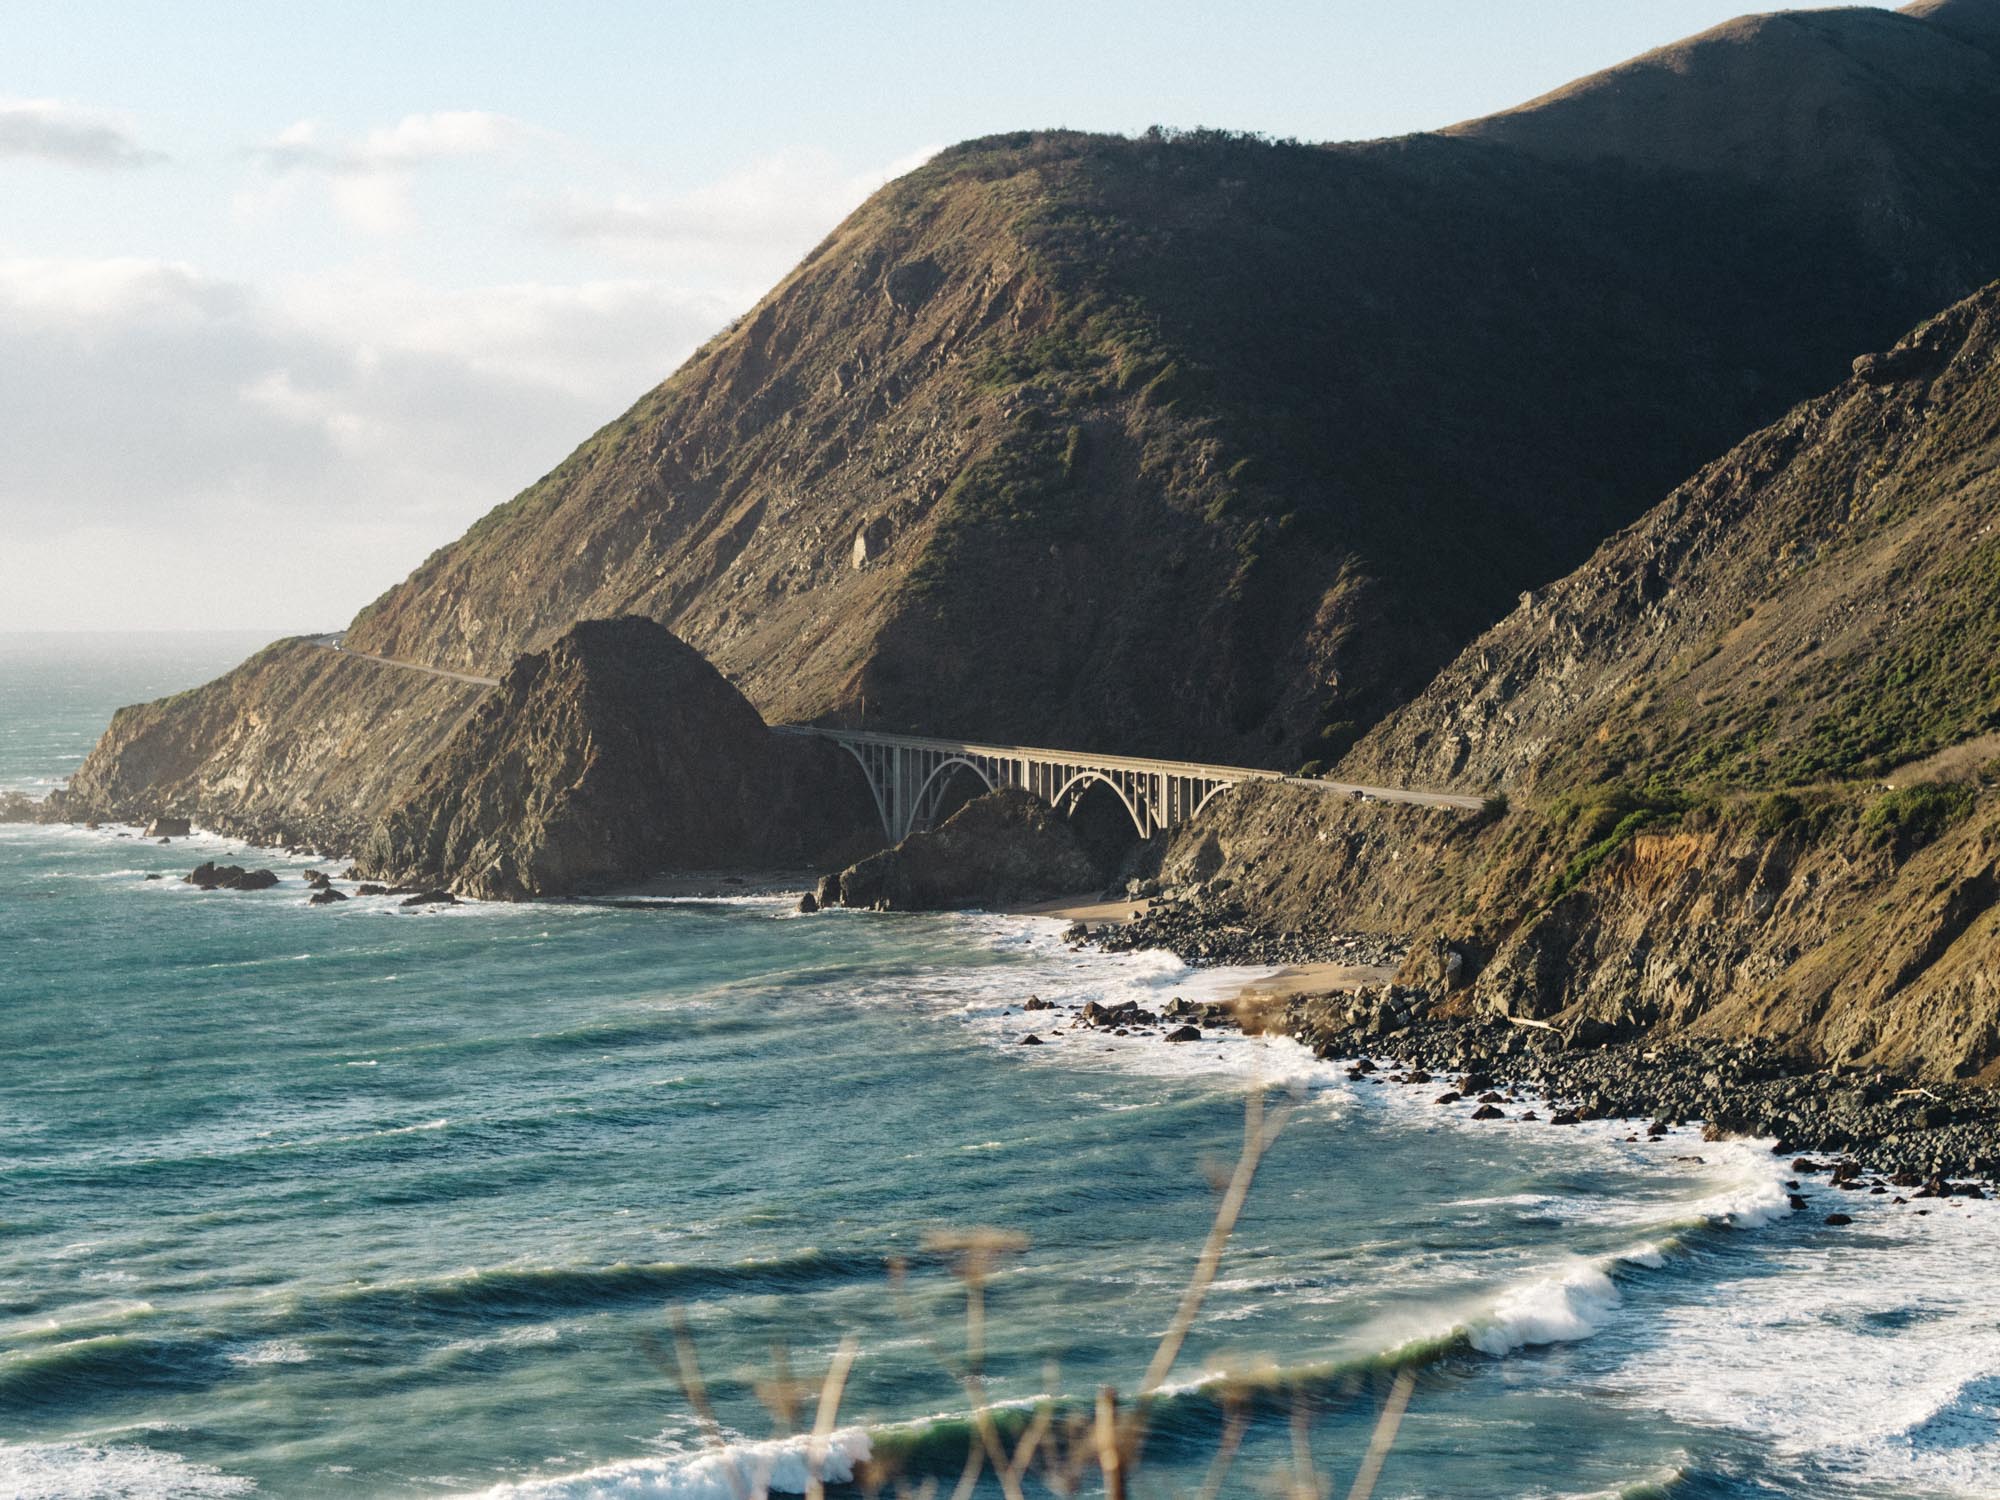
1219, 447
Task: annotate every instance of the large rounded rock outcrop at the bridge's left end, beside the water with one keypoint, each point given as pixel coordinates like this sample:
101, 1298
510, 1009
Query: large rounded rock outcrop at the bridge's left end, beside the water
613, 755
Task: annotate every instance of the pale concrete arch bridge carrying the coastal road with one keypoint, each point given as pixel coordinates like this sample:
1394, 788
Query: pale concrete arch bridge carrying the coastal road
911, 779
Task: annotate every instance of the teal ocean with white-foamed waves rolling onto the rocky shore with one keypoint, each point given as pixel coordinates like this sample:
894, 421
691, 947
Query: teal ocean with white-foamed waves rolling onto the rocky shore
365, 1201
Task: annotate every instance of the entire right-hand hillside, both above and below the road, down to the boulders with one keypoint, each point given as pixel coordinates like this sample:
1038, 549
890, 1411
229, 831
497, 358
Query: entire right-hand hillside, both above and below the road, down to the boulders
1753, 751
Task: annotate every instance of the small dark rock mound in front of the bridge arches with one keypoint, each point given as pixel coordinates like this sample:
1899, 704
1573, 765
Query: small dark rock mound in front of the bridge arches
999, 849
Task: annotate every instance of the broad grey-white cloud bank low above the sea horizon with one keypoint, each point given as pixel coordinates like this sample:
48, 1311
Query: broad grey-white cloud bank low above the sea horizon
311, 445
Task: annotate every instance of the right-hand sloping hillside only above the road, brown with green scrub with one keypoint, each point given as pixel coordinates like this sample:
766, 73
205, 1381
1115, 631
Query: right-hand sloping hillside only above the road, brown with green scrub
1819, 607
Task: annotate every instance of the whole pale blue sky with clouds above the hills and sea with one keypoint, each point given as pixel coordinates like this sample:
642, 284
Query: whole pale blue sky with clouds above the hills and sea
293, 295
